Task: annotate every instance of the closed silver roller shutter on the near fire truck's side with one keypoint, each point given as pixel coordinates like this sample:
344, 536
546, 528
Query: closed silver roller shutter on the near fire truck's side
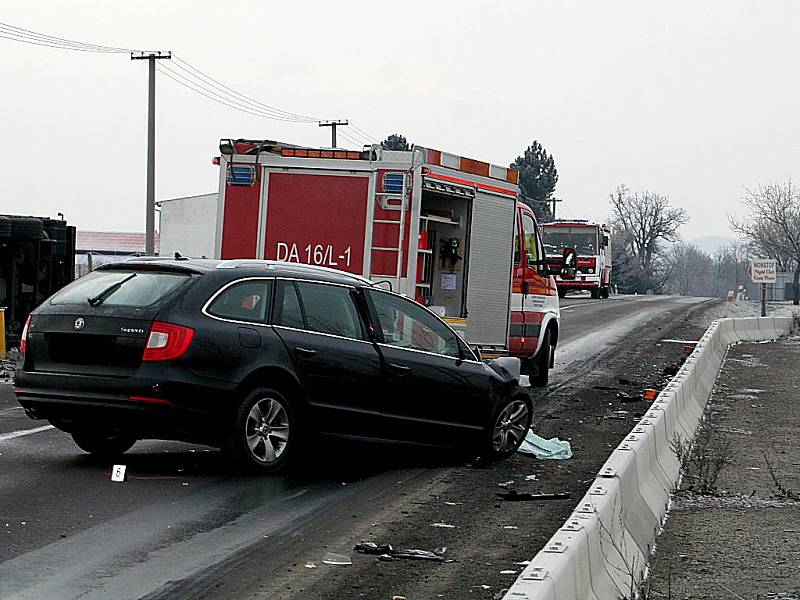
489, 279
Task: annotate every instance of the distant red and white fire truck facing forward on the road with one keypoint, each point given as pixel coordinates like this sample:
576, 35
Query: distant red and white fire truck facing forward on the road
592, 243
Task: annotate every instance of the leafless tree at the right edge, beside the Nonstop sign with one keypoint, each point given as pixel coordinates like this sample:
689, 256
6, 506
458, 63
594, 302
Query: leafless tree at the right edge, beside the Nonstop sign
771, 226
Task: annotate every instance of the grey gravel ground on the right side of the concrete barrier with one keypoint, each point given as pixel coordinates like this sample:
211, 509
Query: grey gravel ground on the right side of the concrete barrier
744, 541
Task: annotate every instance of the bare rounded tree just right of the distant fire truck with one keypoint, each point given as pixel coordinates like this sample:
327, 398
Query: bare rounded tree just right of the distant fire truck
642, 221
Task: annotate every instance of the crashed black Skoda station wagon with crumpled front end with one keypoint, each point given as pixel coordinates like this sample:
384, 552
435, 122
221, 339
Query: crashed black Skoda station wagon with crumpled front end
256, 357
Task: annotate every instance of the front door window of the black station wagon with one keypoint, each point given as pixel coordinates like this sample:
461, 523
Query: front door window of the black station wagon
406, 324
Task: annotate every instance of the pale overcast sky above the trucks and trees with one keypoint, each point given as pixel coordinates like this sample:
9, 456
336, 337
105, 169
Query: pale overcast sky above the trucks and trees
693, 100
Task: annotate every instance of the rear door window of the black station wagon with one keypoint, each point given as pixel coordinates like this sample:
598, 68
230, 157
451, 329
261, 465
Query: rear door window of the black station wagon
330, 309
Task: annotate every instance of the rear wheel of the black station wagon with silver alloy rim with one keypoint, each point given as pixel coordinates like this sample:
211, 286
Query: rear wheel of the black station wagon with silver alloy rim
265, 432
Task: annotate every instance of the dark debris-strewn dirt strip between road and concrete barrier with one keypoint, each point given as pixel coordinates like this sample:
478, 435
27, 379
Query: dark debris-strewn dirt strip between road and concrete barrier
488, 539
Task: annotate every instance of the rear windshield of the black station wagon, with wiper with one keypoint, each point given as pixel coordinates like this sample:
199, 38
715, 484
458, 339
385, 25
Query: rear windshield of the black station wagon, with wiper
120, 288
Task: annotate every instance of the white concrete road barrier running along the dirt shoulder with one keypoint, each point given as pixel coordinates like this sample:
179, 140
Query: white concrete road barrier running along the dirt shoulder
602, 551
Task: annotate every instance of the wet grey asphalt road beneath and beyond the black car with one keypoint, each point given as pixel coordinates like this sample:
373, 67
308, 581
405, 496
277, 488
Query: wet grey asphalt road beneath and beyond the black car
182, 518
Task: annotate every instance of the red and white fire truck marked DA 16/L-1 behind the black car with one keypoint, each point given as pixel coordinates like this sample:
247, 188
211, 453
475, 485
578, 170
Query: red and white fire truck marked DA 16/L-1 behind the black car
443, 229
